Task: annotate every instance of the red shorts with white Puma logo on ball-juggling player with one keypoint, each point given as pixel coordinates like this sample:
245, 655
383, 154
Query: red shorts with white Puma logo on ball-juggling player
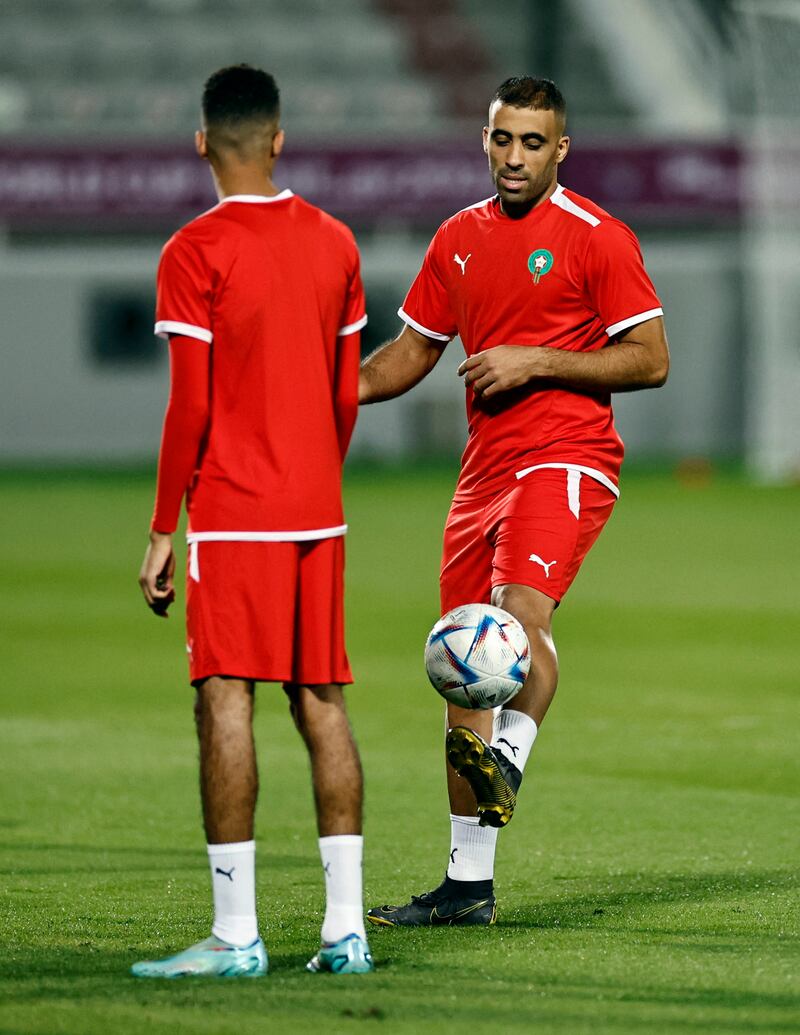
537, 534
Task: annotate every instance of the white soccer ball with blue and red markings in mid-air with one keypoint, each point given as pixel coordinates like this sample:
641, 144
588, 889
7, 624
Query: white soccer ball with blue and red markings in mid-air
478, 657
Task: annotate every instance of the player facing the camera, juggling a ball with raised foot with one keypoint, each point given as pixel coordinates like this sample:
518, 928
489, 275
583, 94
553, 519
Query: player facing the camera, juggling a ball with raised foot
550, 297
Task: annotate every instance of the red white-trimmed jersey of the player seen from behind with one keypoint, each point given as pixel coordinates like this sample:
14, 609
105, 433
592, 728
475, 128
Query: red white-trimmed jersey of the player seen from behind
274, 285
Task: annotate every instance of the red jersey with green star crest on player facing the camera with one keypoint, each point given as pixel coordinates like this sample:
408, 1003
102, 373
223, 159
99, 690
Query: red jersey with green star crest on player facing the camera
568, 276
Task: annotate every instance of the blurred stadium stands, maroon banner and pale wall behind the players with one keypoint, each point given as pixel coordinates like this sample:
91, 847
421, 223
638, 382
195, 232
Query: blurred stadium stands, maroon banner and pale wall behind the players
685, 122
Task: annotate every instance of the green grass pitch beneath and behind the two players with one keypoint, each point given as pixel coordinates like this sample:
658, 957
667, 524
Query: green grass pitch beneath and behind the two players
648, 882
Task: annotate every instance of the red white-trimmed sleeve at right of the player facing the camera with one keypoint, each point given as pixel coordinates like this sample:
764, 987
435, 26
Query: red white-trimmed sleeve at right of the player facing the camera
616, 283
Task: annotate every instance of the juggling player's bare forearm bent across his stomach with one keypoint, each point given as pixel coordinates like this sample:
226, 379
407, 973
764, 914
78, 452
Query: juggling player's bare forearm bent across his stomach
638, 359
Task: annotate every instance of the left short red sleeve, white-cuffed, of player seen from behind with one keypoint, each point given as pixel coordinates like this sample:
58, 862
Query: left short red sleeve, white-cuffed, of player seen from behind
184, 292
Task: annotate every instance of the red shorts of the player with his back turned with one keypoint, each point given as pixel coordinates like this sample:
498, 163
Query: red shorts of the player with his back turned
268, 611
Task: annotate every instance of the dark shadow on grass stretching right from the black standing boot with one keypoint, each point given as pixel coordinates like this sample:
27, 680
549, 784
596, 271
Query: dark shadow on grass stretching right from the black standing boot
627, 894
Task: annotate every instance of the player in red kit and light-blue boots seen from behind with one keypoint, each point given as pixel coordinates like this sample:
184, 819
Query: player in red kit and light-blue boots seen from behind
262, 302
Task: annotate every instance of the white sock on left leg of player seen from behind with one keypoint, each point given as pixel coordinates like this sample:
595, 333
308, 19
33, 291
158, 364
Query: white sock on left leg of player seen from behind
233, 882
